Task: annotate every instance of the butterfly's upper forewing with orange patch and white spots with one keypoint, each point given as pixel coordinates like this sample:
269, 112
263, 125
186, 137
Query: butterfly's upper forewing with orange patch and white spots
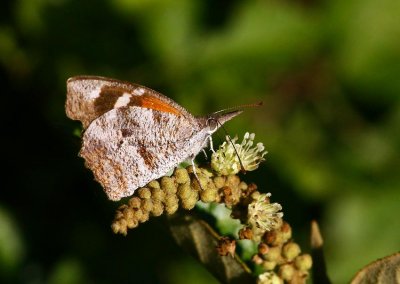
89, 97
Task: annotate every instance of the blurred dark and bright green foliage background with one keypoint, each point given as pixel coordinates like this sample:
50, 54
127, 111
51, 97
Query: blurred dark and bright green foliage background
328, 73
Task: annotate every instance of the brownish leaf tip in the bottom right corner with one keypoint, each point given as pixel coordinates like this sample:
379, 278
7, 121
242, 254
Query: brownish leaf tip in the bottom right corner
384, 270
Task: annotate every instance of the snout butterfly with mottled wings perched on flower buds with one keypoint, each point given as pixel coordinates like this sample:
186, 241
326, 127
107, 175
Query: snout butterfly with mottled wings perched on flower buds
132, 134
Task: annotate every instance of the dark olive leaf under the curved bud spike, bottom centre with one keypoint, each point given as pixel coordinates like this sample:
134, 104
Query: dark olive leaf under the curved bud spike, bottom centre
200, 240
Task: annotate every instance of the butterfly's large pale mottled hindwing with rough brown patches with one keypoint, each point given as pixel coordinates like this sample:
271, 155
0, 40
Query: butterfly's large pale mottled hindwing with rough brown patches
128, 147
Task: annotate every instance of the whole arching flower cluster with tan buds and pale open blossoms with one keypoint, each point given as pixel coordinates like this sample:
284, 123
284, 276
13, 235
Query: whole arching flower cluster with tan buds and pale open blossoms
278, 256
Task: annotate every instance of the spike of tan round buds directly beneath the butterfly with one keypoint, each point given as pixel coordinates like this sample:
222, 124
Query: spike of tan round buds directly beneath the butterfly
182, 189
